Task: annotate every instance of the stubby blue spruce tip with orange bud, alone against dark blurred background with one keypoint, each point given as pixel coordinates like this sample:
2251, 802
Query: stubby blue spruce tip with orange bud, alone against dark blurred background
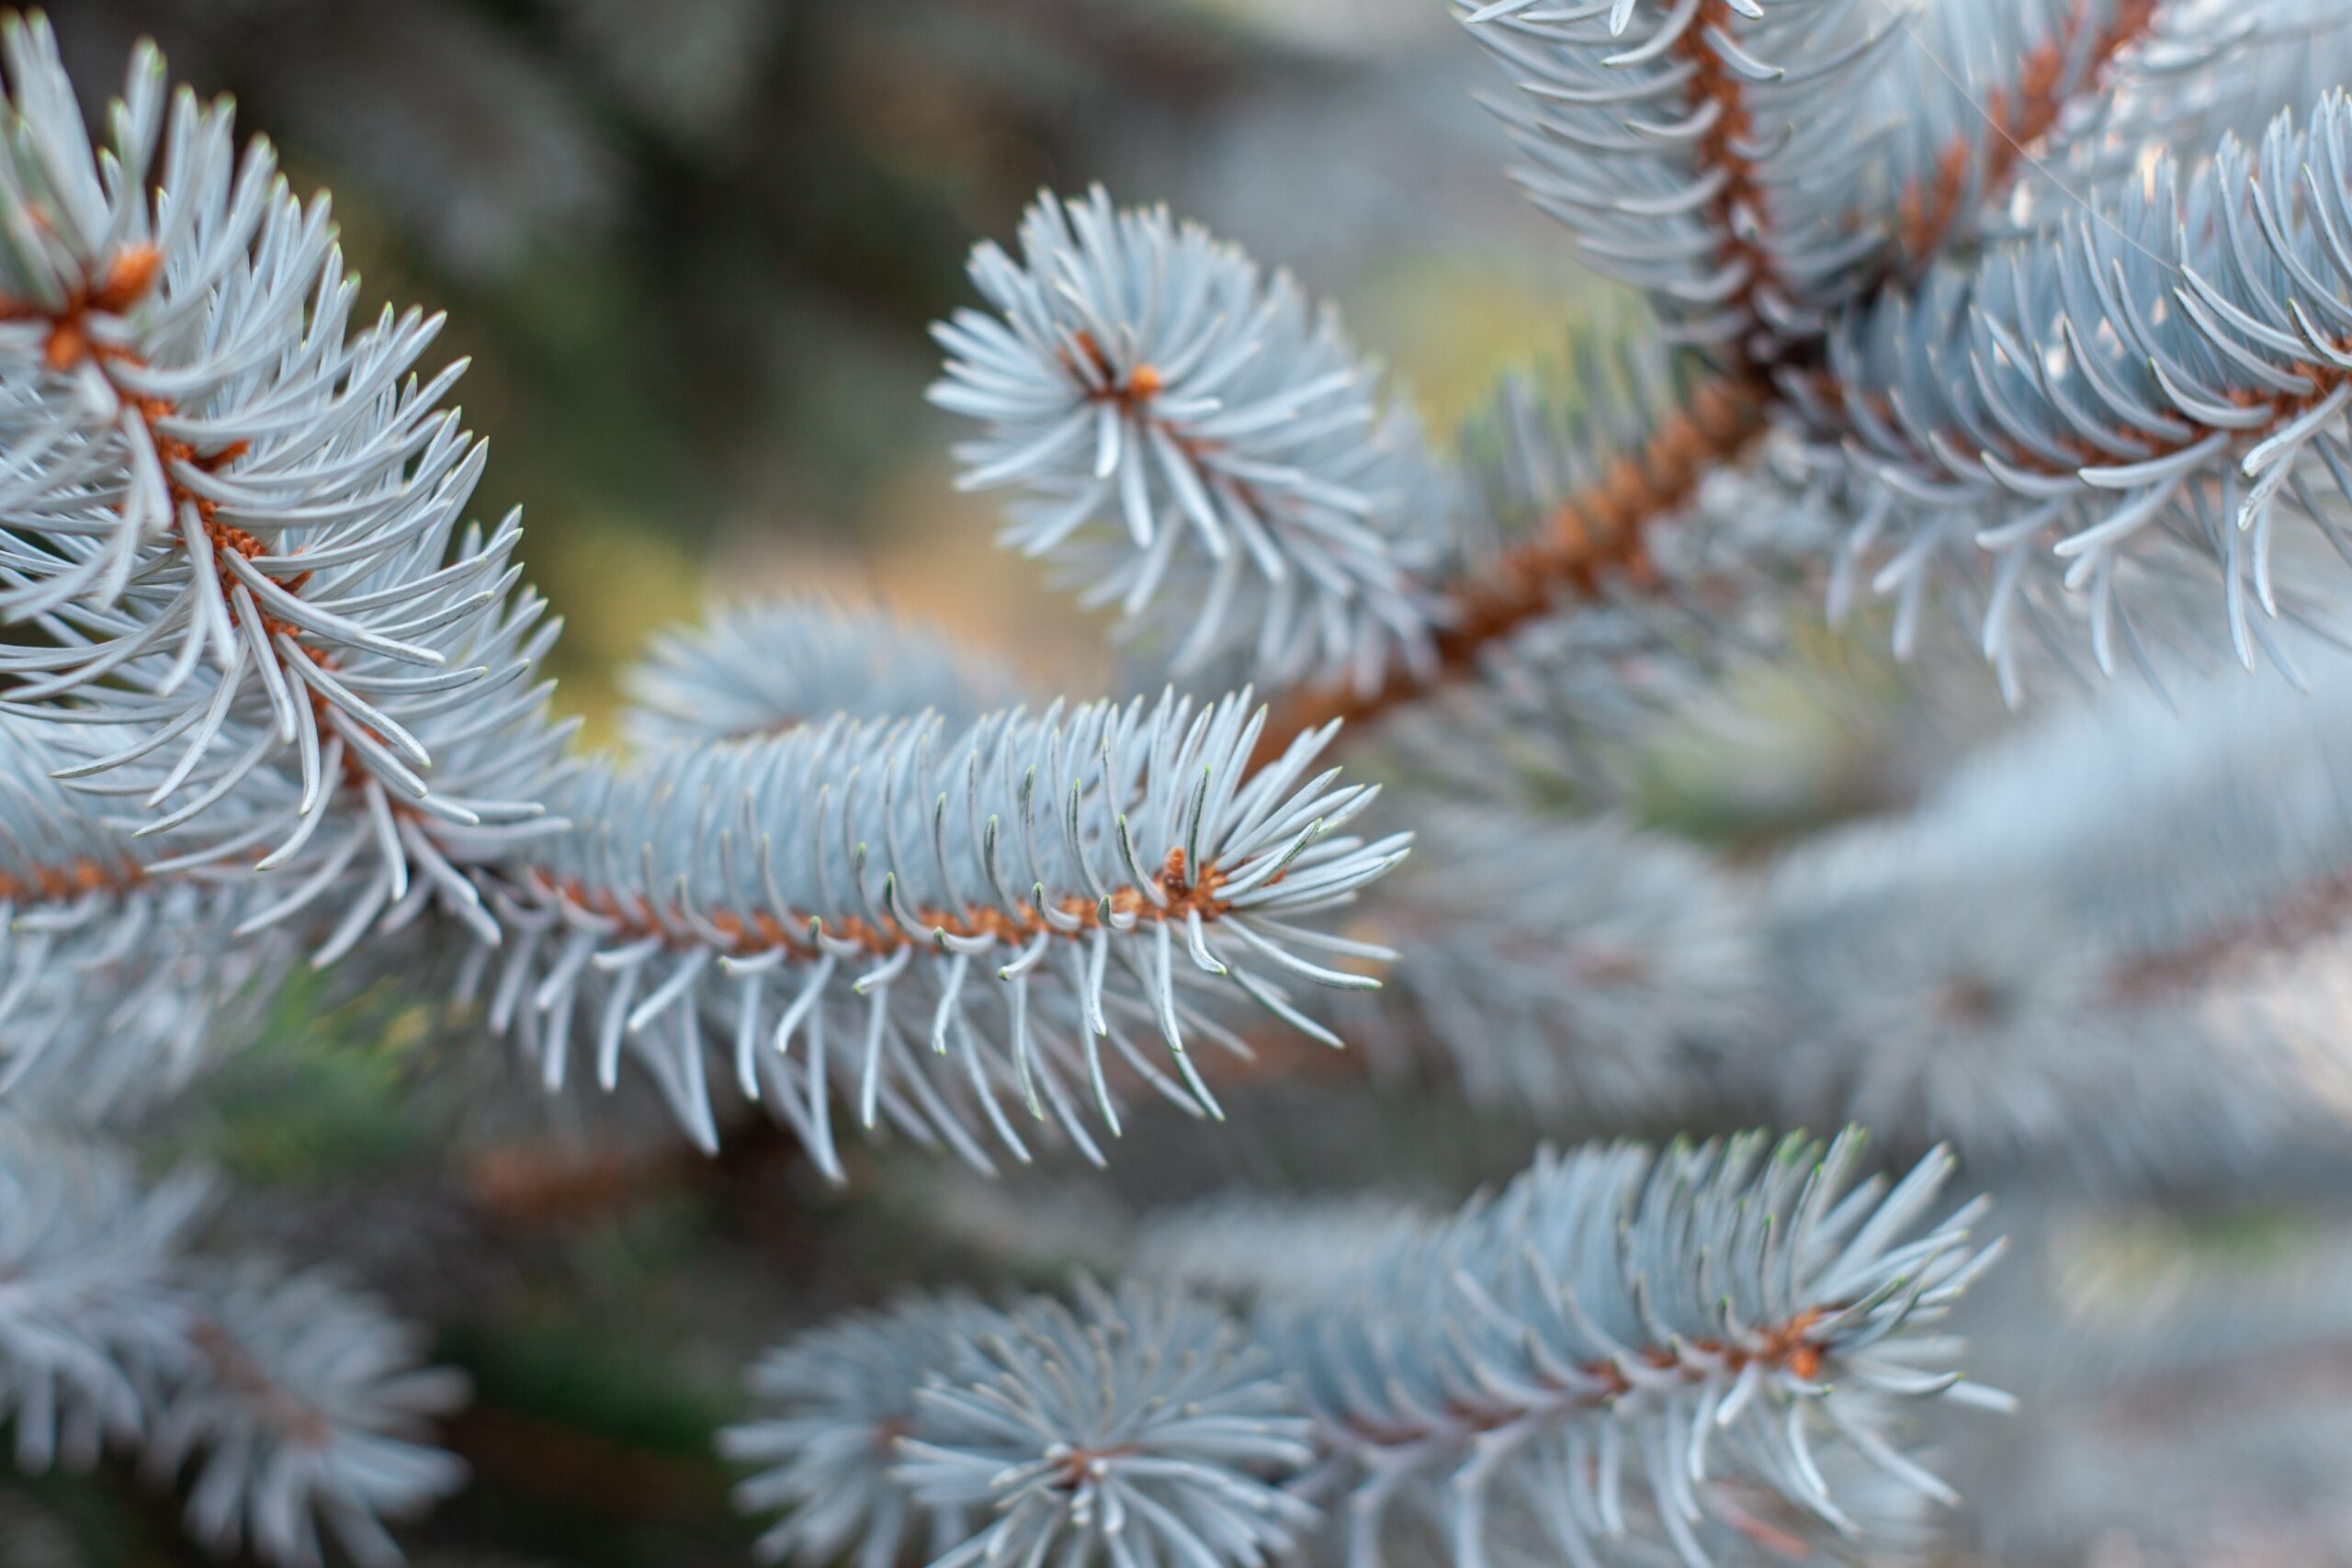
1198, 445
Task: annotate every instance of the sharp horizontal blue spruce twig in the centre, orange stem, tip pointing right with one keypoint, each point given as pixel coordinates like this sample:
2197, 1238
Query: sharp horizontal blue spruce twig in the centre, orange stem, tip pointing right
930, 923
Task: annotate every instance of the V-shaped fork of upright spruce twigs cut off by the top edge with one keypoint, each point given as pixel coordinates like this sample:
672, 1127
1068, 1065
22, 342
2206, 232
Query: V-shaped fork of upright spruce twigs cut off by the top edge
1758, 163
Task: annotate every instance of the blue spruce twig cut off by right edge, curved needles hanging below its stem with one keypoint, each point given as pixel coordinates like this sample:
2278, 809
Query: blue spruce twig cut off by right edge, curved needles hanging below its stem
2158, 377
